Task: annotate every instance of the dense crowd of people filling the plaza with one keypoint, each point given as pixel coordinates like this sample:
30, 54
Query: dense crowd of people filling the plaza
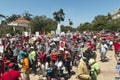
53, 56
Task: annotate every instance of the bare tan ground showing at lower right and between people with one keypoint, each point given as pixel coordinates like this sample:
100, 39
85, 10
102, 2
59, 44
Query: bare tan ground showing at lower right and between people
108, 69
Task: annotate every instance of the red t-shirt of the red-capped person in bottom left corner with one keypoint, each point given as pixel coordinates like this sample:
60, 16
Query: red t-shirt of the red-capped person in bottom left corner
14, 73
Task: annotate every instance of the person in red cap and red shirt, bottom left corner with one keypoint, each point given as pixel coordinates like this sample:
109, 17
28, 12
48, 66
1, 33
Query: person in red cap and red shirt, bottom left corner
11, 74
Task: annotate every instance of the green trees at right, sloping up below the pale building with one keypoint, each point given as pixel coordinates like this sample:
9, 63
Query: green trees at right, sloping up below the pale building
101, 22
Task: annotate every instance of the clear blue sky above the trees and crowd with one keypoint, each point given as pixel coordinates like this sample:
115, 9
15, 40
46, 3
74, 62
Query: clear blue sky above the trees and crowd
79, 11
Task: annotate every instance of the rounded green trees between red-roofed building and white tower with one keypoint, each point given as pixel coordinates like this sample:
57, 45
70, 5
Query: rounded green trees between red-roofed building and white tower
38, 23
